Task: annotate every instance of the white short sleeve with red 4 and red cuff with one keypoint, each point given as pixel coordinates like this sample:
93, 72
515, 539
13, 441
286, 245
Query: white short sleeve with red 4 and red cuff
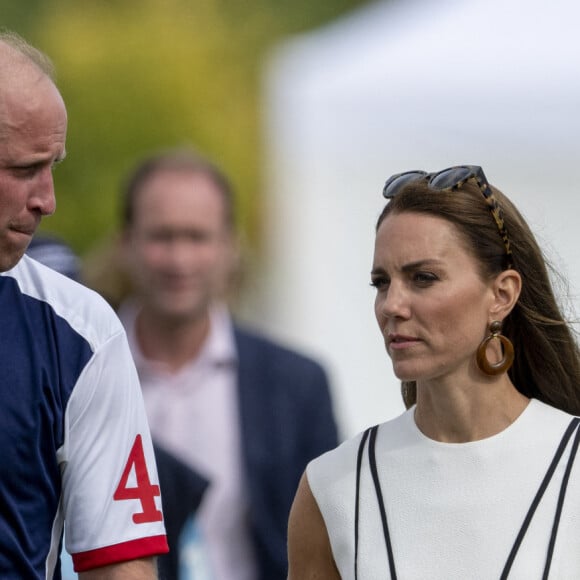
111, 498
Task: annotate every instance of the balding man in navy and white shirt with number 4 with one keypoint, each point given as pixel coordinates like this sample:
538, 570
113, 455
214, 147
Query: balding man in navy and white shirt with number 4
76, 450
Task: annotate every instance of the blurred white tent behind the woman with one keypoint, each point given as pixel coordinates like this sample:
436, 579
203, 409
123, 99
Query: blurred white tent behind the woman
397, 86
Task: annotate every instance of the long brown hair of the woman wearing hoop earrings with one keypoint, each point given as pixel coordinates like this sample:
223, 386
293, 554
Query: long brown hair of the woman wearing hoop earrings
547, 363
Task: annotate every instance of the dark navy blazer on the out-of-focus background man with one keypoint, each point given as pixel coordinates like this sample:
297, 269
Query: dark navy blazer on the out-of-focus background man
286, 420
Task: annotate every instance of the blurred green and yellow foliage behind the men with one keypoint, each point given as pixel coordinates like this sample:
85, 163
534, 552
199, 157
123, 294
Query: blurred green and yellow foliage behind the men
142, 75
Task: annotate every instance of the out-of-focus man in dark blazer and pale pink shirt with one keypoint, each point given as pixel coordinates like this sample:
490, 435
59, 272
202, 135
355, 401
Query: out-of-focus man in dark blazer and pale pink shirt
246, 414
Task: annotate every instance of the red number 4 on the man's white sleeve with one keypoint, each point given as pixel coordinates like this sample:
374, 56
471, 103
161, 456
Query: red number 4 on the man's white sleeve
144, 491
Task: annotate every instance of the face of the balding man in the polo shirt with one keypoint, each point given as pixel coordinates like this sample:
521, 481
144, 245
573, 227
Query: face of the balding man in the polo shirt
33, 125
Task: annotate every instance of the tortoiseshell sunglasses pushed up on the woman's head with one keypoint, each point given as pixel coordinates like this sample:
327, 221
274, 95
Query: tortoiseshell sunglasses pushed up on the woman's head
451, 179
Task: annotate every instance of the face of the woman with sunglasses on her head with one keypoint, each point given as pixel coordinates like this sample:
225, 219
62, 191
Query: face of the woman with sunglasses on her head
432, 305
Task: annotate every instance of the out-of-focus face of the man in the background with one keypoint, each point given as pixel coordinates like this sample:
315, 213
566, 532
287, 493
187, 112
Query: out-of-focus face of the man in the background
179, 248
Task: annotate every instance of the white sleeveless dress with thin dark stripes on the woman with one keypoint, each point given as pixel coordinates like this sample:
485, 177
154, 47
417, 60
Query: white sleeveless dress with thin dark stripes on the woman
453, 510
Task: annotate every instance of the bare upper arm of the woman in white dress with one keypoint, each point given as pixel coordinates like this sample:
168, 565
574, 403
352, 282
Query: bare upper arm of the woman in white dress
309, 552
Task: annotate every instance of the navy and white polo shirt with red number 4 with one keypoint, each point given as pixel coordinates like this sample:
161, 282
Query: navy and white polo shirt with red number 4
75, 445
